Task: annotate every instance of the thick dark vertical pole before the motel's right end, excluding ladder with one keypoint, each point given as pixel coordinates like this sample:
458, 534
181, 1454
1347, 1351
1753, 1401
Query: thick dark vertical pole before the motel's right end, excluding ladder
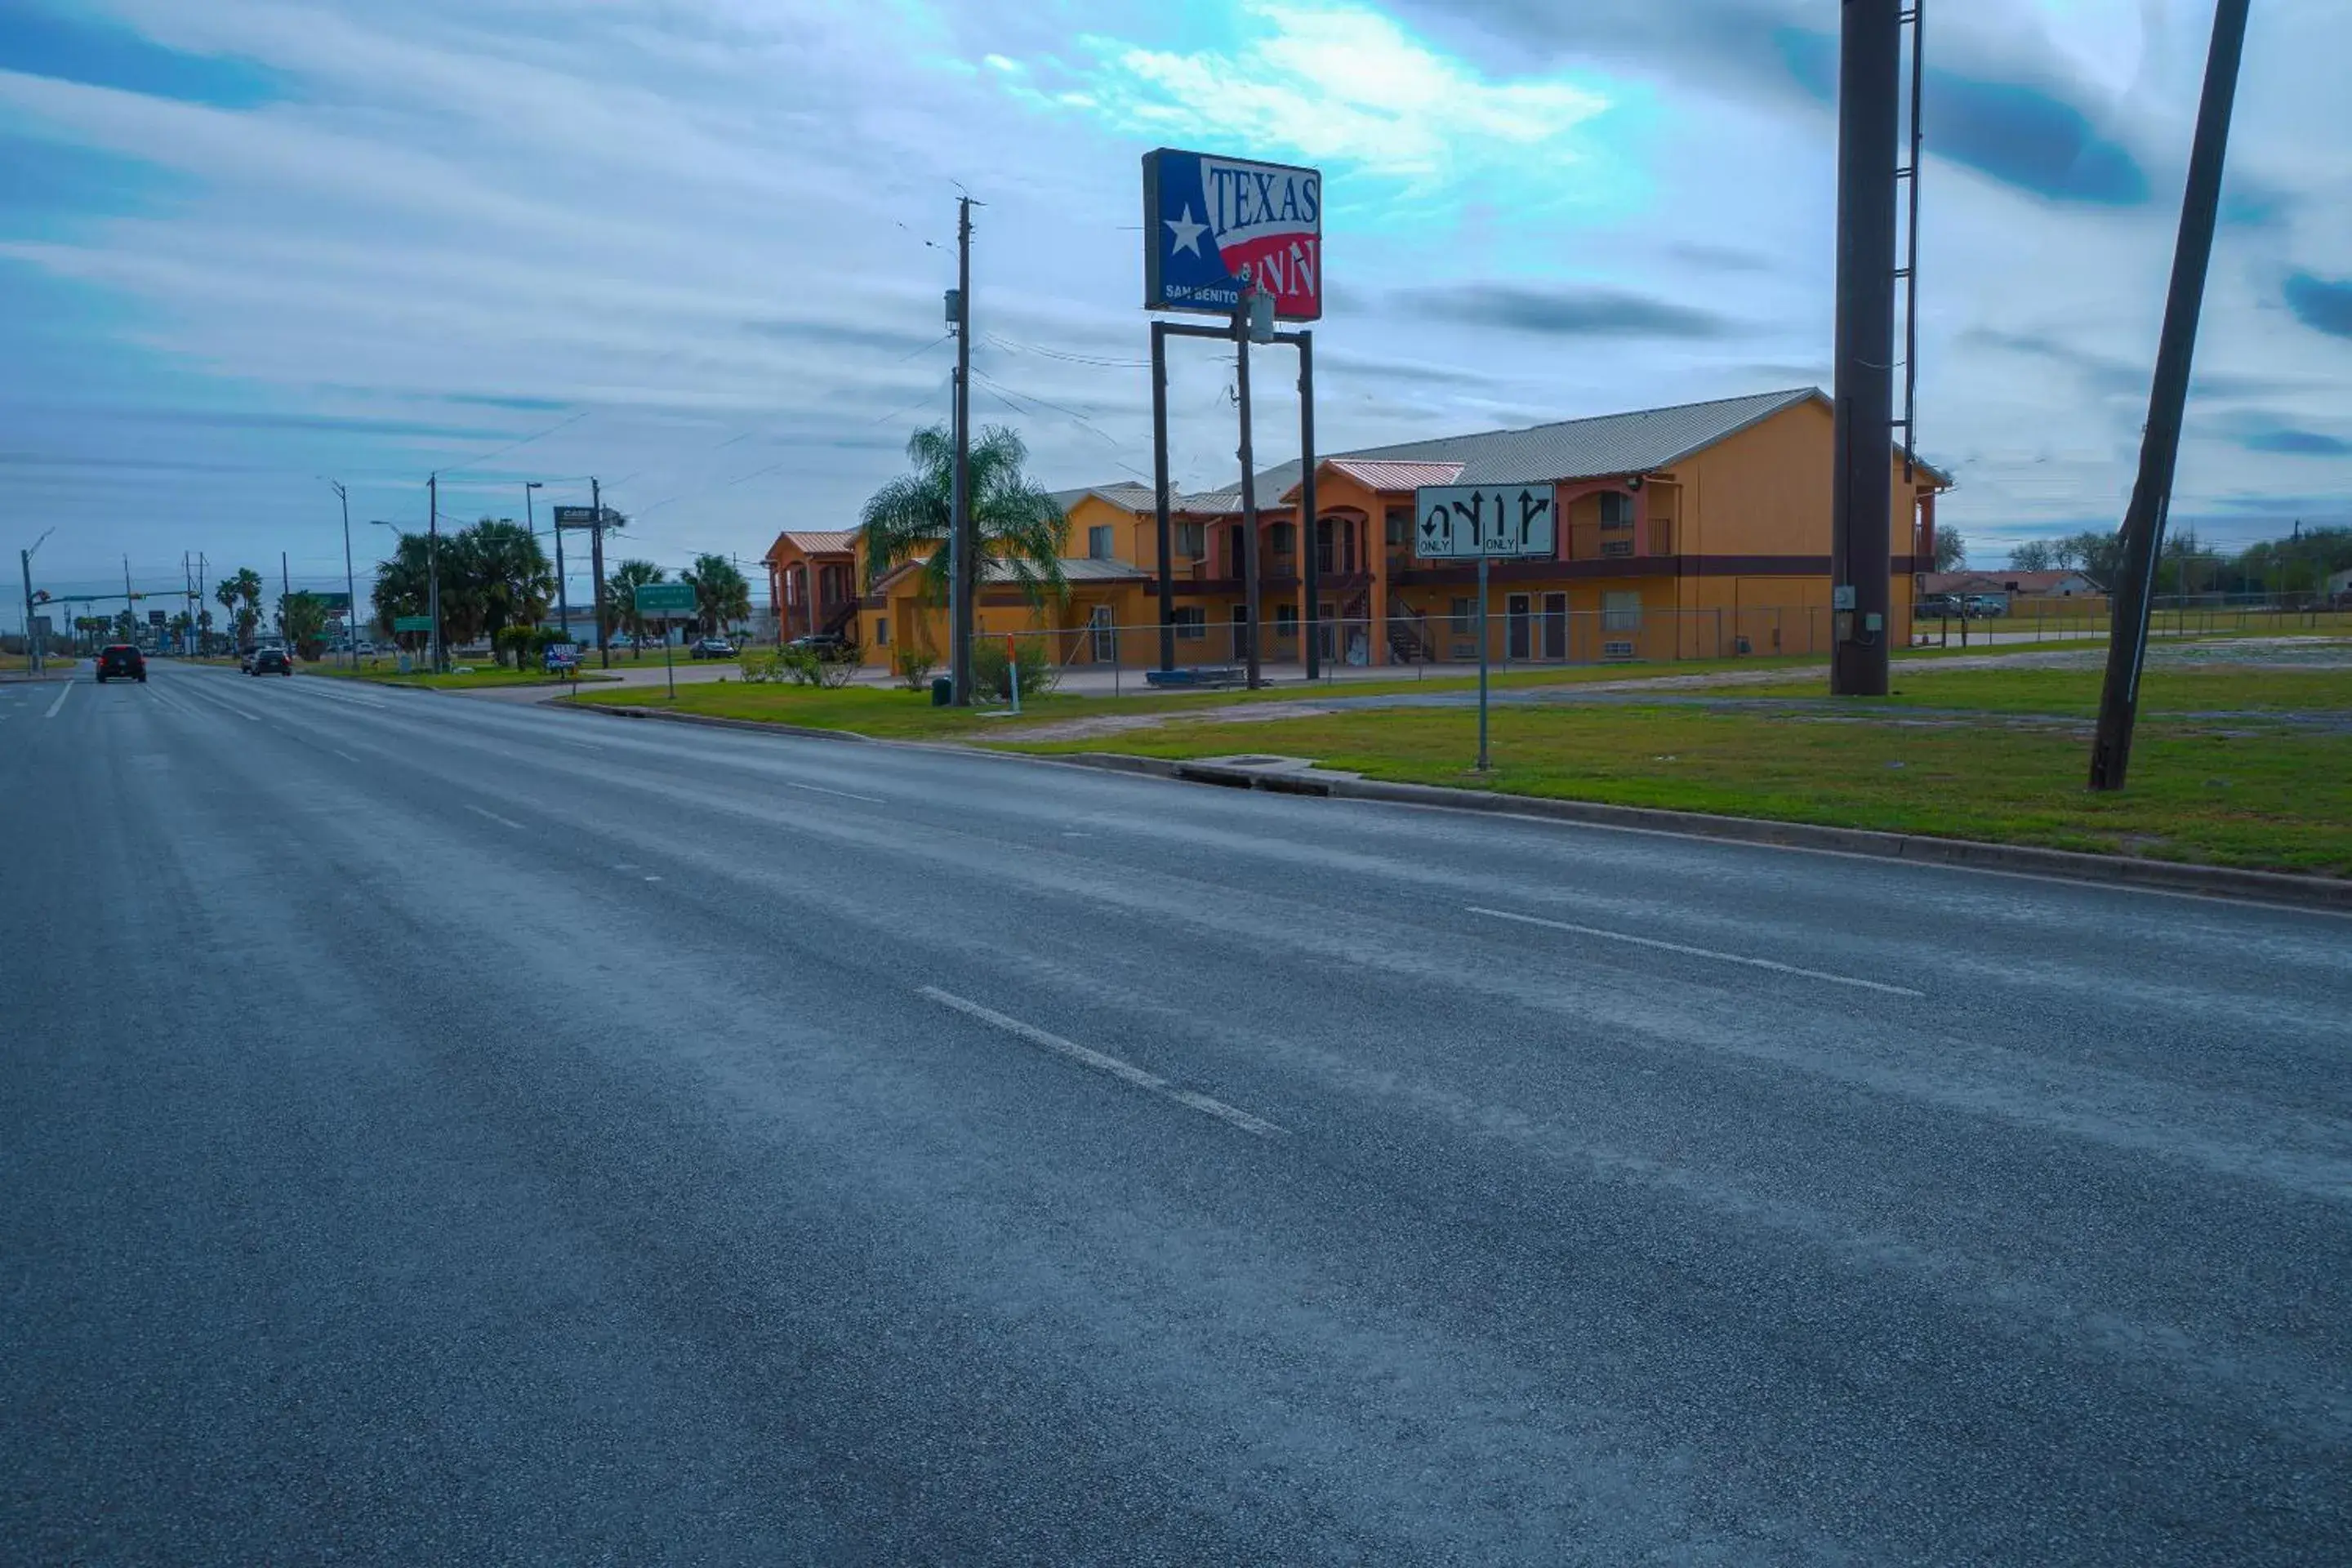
1862, 504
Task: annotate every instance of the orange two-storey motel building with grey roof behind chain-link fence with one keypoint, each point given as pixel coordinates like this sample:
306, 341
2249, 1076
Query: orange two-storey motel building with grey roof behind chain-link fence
1685, 532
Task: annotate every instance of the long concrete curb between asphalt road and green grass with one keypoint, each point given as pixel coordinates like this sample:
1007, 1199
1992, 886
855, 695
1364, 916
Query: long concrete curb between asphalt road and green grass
1920, 850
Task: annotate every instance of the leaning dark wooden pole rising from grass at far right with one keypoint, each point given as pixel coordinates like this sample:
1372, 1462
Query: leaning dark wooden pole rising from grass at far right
2160, 443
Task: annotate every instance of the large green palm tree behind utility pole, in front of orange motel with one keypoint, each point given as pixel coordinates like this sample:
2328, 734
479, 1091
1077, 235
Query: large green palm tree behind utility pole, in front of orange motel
1015, 521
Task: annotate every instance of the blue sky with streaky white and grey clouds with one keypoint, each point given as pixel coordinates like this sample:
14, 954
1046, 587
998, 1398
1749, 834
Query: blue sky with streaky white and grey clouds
695, 248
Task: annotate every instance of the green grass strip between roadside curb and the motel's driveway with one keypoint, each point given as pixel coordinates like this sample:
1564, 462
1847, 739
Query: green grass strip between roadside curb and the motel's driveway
2269, 798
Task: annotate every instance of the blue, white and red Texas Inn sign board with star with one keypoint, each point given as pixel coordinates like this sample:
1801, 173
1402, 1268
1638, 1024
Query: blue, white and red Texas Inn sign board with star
1215, 225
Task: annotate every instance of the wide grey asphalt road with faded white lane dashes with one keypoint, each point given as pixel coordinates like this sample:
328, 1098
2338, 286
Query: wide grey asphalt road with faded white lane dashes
450, 1132
